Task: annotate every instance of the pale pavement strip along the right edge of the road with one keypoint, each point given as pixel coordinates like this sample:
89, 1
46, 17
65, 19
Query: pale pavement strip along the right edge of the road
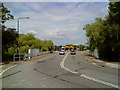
99, 62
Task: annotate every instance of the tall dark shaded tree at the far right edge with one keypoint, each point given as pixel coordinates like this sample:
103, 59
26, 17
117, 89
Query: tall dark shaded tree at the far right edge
114, 21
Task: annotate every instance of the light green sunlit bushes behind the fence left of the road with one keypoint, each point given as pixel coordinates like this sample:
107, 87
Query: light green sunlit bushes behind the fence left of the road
25, 42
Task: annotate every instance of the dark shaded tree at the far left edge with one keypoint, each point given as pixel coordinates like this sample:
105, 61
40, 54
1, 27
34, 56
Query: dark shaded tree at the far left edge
8, 34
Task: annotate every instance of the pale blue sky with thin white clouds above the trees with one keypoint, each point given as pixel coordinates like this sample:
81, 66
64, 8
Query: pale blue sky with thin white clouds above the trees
61, 22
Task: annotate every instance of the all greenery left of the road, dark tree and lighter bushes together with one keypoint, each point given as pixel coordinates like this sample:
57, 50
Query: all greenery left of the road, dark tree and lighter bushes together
25, 42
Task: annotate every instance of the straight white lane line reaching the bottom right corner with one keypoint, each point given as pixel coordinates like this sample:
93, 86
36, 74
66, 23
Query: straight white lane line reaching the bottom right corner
99, 81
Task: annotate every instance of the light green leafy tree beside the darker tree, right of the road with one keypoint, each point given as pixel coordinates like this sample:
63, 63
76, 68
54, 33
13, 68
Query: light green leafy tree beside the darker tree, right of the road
95, 33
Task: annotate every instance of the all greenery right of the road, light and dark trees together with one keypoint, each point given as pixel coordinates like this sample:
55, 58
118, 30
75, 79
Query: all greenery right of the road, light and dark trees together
104, 34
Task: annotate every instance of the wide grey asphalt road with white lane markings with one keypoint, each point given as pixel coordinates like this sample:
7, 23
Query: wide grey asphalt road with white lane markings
58, 71
